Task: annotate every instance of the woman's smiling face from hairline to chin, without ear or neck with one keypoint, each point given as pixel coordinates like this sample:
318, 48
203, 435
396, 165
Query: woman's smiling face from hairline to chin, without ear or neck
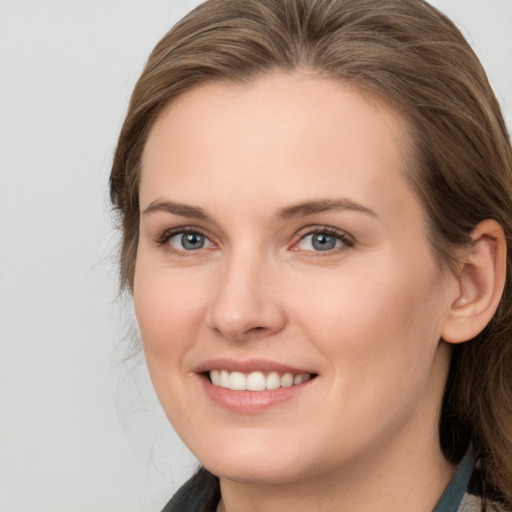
280, 243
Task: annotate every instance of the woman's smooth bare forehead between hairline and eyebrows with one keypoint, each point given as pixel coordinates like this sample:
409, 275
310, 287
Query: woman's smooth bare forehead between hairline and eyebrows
280, 136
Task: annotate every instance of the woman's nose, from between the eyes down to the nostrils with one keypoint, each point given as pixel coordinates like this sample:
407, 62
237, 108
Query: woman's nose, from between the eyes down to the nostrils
247, 300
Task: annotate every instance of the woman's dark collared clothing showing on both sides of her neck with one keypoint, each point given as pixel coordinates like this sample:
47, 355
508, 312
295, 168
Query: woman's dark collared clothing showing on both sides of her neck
466, 492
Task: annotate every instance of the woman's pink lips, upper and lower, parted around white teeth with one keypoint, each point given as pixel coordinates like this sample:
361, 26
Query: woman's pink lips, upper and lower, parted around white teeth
250, 402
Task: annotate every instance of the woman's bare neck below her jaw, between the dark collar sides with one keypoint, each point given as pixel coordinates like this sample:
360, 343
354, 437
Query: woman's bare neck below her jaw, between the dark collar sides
391, 479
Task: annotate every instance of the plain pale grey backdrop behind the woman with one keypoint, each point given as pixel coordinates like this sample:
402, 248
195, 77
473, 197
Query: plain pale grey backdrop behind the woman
81, 430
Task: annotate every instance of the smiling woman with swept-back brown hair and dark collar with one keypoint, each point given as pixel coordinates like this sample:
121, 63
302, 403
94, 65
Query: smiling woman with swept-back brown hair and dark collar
316, 205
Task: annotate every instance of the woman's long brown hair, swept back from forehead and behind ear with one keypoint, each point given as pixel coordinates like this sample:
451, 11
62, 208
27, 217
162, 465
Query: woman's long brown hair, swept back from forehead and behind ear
413, 56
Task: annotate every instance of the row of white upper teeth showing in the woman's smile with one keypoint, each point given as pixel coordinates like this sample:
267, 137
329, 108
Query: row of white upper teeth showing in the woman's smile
256, 381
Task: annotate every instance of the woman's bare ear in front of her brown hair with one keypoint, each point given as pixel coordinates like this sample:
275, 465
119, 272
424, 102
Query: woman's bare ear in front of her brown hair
481, 281
